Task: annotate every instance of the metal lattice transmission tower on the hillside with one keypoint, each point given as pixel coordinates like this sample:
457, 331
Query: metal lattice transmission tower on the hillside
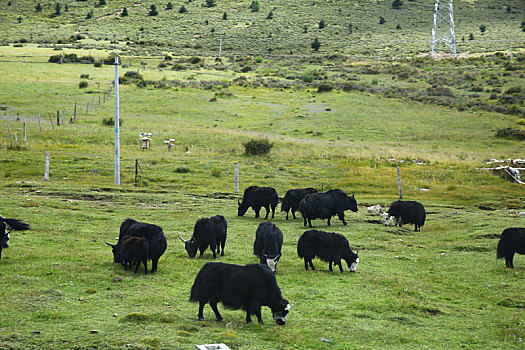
443, 30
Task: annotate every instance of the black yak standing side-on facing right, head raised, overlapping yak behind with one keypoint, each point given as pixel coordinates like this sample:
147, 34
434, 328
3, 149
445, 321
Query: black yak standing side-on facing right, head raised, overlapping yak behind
325, 205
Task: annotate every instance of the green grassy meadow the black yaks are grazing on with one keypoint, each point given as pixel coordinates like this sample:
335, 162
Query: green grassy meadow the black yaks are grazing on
441, 287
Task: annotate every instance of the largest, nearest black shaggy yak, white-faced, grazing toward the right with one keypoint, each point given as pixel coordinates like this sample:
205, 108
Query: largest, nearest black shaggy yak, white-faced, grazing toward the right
239, 287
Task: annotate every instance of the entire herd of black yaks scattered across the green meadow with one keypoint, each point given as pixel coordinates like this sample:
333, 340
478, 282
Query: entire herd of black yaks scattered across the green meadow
254, 285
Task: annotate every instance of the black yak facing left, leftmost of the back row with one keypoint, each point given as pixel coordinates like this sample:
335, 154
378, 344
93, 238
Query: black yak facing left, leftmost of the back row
257, 198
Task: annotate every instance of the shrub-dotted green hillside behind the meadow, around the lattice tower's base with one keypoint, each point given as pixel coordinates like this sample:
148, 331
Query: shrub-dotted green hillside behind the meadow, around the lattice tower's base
351, 27
